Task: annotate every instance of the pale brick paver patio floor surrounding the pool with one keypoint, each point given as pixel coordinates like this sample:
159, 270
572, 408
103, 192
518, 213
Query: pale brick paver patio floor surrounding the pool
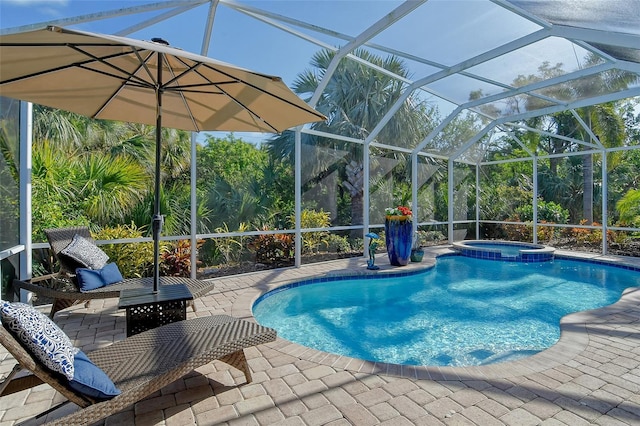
592, 376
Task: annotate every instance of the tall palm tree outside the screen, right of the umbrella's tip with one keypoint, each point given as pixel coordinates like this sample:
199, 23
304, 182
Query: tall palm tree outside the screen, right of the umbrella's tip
354, 100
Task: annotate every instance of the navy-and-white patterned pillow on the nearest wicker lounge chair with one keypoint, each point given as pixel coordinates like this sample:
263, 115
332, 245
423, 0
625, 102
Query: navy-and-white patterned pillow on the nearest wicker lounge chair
41, 336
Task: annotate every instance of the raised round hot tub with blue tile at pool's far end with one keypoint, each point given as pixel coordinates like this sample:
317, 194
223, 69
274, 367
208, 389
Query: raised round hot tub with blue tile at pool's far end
511, 251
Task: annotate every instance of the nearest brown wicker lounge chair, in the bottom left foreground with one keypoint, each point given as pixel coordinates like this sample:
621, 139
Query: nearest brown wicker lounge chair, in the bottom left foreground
144, 363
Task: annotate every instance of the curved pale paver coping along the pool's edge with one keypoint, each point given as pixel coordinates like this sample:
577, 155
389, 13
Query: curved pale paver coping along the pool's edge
574, 335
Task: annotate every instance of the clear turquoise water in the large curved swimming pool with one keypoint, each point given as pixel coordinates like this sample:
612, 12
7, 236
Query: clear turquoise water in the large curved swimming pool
462, 312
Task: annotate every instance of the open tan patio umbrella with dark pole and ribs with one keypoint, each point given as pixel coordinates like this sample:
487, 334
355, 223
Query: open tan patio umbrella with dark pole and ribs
148, 82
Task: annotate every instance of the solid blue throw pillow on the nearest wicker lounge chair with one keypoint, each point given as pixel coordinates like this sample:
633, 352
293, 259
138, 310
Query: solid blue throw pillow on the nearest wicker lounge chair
90, 380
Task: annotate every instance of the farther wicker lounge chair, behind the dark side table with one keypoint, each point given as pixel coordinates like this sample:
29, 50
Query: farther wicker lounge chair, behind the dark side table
63, 298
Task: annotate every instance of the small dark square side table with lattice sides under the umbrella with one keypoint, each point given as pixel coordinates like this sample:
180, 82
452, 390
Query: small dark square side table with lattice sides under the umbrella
147, 310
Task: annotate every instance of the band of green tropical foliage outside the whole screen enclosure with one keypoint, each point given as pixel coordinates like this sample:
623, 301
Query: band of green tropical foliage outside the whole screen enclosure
101, 173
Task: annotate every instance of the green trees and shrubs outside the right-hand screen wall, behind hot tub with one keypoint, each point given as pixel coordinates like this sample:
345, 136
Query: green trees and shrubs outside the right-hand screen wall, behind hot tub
569, 183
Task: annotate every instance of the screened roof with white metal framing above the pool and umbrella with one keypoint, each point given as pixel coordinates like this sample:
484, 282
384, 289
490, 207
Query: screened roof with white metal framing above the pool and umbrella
495, 62
